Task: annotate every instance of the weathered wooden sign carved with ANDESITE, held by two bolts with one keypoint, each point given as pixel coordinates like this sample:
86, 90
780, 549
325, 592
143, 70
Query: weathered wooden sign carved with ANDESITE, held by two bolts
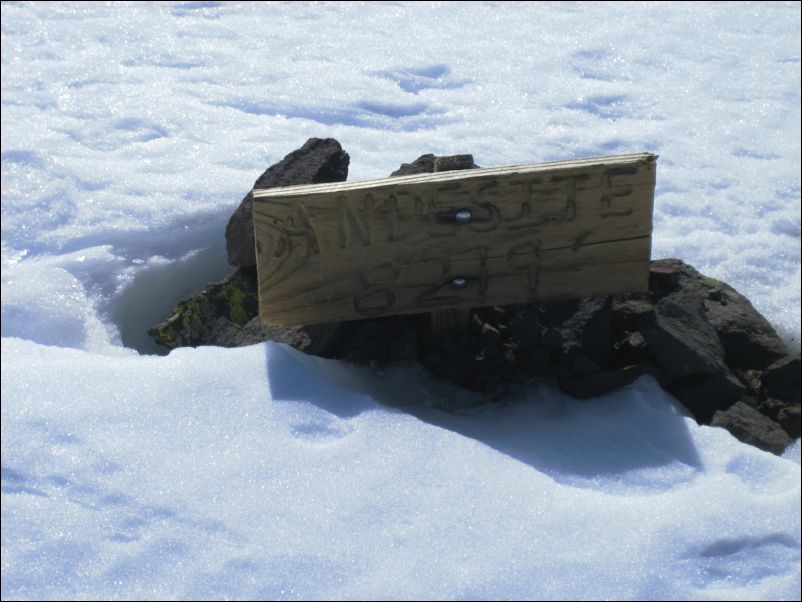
457, 239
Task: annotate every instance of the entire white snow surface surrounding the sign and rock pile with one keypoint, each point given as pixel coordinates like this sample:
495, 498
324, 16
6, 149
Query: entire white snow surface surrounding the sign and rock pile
129, 134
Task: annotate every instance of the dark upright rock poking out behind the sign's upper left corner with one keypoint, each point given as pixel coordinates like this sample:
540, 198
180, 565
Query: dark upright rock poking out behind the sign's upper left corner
316, 162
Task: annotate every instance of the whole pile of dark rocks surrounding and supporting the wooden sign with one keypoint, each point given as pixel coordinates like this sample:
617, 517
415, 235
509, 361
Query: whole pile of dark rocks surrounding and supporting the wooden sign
703, 341
